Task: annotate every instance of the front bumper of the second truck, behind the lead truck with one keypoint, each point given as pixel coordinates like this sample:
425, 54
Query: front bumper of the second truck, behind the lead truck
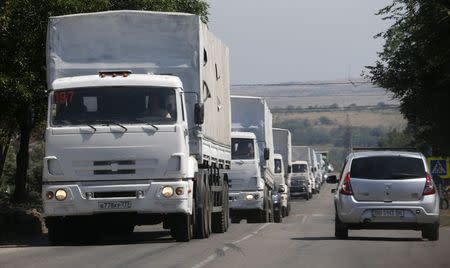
242, 200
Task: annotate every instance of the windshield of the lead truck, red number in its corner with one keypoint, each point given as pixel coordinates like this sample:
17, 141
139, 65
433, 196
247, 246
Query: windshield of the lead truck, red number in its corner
125, 105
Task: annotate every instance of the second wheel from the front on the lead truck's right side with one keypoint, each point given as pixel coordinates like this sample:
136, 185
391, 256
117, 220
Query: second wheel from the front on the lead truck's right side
202, 222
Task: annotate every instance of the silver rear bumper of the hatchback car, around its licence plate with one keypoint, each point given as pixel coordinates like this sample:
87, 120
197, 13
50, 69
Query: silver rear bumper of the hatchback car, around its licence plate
351, 211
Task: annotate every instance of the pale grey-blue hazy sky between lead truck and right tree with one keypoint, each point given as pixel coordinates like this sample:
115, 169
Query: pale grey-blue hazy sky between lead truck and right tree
273, 41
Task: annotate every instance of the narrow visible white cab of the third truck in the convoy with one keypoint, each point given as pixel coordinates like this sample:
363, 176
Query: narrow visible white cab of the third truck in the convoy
280, 185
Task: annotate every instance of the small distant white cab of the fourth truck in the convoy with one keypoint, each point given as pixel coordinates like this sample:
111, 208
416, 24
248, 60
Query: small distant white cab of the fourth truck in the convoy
301, 181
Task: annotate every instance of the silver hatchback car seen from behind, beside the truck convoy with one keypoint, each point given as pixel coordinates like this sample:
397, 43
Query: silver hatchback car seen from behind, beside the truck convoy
386, 190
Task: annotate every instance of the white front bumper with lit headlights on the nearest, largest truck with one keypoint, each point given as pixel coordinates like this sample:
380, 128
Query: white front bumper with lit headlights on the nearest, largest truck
87, 199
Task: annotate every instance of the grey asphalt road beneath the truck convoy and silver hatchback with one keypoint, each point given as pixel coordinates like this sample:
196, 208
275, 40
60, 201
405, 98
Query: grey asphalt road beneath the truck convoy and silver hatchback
304, 239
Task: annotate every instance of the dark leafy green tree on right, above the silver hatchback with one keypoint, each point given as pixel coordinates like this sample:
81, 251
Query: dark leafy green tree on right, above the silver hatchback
415, 65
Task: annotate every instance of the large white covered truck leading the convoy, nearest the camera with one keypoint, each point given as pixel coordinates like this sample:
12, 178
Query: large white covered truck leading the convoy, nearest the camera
139, 125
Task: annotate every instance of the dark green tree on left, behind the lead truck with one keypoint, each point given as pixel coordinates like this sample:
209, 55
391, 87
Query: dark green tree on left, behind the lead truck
23, 25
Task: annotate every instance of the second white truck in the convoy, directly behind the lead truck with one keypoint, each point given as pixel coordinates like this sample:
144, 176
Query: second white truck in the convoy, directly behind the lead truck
252, 165
